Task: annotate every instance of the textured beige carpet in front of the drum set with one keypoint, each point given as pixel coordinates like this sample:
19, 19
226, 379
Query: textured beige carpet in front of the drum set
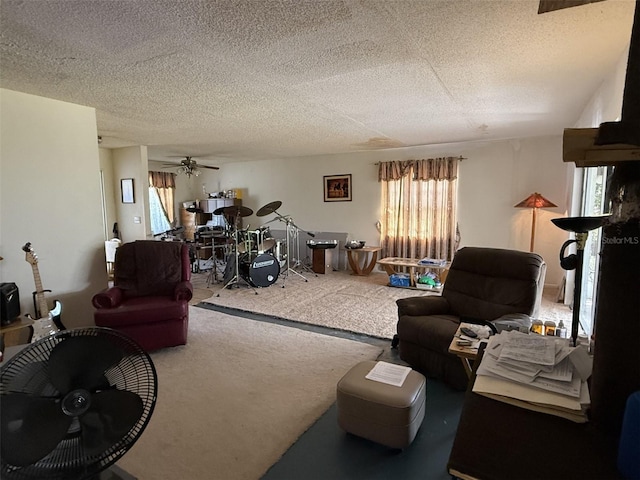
337, 300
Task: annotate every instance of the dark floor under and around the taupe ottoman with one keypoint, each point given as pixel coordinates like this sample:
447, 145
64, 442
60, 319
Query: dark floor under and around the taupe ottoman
325, 452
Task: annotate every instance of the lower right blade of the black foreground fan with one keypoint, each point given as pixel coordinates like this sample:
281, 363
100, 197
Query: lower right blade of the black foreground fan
112, 414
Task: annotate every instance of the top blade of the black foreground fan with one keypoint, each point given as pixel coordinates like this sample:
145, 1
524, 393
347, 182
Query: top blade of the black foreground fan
80, 362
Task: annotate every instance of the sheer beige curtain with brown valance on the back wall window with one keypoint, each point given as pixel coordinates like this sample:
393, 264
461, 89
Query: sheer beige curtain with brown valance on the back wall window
419, 208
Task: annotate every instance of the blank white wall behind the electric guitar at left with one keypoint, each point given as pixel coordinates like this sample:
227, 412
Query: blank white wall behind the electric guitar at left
50, 196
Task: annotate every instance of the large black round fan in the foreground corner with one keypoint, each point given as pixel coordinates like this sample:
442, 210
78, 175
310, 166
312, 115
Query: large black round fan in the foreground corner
73, 403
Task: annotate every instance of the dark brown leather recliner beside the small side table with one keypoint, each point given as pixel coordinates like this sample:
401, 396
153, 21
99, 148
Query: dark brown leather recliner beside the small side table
482, 284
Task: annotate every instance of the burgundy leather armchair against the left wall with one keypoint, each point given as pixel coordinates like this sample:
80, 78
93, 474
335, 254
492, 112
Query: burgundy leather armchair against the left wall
150, 297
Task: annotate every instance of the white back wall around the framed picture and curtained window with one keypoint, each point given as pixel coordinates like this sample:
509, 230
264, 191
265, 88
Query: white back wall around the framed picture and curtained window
494, 177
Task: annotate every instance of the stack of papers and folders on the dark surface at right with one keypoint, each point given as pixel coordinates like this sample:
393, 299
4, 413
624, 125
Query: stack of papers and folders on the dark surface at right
540, 373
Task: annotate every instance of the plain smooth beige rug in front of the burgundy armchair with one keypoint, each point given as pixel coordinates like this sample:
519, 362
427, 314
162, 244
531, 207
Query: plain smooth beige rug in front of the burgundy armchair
237, 396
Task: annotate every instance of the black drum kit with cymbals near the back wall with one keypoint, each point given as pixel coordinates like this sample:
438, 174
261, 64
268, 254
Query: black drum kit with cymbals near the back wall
256, 257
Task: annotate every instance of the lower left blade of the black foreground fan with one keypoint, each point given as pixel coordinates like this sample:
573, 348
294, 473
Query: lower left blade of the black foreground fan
31, 428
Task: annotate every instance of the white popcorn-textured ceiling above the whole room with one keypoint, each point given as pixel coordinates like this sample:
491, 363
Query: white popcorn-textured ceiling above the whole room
240, 79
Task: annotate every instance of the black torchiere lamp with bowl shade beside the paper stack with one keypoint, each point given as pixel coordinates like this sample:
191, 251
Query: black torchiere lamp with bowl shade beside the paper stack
581, 227
